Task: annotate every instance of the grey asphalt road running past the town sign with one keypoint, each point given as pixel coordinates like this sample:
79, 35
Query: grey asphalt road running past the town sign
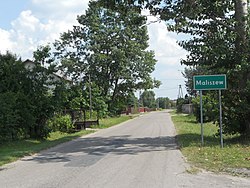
141, 153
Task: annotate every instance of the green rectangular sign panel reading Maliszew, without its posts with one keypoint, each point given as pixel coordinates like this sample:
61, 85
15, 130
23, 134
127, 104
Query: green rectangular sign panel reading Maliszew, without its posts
210, 82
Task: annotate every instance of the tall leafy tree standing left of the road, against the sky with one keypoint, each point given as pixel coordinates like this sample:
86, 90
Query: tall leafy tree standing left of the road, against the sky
109, 48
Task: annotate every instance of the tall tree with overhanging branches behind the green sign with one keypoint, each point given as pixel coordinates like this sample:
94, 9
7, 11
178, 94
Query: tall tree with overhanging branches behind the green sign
219, 43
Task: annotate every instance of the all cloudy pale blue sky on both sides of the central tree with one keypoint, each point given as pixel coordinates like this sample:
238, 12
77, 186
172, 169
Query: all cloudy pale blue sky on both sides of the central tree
26, 24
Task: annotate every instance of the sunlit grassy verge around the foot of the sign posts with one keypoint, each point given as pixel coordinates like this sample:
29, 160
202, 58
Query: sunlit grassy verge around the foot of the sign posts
233, 158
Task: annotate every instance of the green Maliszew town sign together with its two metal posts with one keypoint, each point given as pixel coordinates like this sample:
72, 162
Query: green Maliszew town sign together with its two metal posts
210, 82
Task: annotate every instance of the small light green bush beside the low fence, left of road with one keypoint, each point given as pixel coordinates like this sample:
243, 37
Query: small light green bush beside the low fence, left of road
62, 123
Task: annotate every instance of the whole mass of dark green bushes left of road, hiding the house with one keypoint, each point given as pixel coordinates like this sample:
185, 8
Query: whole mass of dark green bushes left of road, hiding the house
26, 101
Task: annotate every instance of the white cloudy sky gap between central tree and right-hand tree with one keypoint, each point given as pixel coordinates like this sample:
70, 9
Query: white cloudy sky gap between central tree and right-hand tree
168, 55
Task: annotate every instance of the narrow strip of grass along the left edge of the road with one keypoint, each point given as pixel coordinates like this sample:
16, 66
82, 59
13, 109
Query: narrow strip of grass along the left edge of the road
12, 151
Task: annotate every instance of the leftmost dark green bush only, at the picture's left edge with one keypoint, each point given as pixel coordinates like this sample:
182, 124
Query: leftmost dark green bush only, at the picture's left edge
15, 118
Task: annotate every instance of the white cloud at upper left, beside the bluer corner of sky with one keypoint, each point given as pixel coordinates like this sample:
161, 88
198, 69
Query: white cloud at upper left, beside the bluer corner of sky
40, 25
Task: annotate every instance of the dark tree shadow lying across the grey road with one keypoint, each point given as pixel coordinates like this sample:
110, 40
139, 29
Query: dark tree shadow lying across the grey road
88, 150
